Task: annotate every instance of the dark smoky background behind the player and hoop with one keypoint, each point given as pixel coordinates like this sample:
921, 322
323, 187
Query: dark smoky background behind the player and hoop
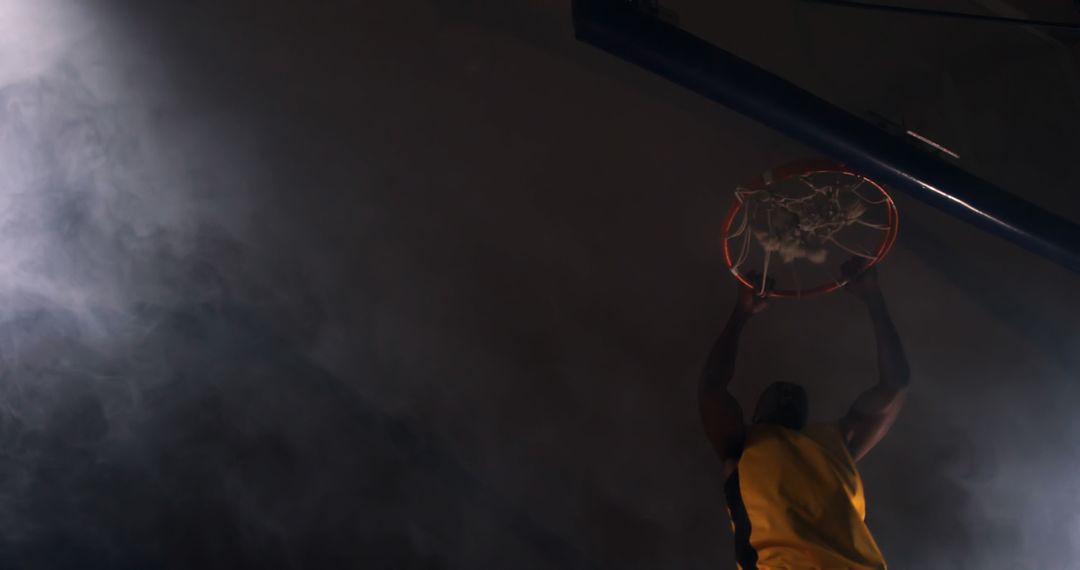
427, 284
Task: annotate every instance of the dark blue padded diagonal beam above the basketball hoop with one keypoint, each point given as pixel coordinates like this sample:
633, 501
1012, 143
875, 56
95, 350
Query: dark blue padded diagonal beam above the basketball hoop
638, 36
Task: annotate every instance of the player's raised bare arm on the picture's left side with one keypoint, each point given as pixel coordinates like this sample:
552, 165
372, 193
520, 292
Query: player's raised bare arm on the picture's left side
721, 414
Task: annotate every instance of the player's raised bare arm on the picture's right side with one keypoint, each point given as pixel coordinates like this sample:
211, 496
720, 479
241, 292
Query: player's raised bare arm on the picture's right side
875, 411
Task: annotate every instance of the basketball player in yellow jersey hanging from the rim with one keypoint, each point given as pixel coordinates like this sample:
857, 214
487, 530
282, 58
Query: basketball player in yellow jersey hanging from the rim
794, 495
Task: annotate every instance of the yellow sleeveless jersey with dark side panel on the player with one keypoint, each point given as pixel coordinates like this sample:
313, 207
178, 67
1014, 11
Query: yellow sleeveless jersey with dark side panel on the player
796, 504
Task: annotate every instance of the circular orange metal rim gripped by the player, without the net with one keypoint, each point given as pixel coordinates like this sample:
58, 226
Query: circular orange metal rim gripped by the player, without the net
801, 169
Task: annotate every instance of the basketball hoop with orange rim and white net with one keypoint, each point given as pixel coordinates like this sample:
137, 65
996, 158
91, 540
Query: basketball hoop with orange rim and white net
811, 216
